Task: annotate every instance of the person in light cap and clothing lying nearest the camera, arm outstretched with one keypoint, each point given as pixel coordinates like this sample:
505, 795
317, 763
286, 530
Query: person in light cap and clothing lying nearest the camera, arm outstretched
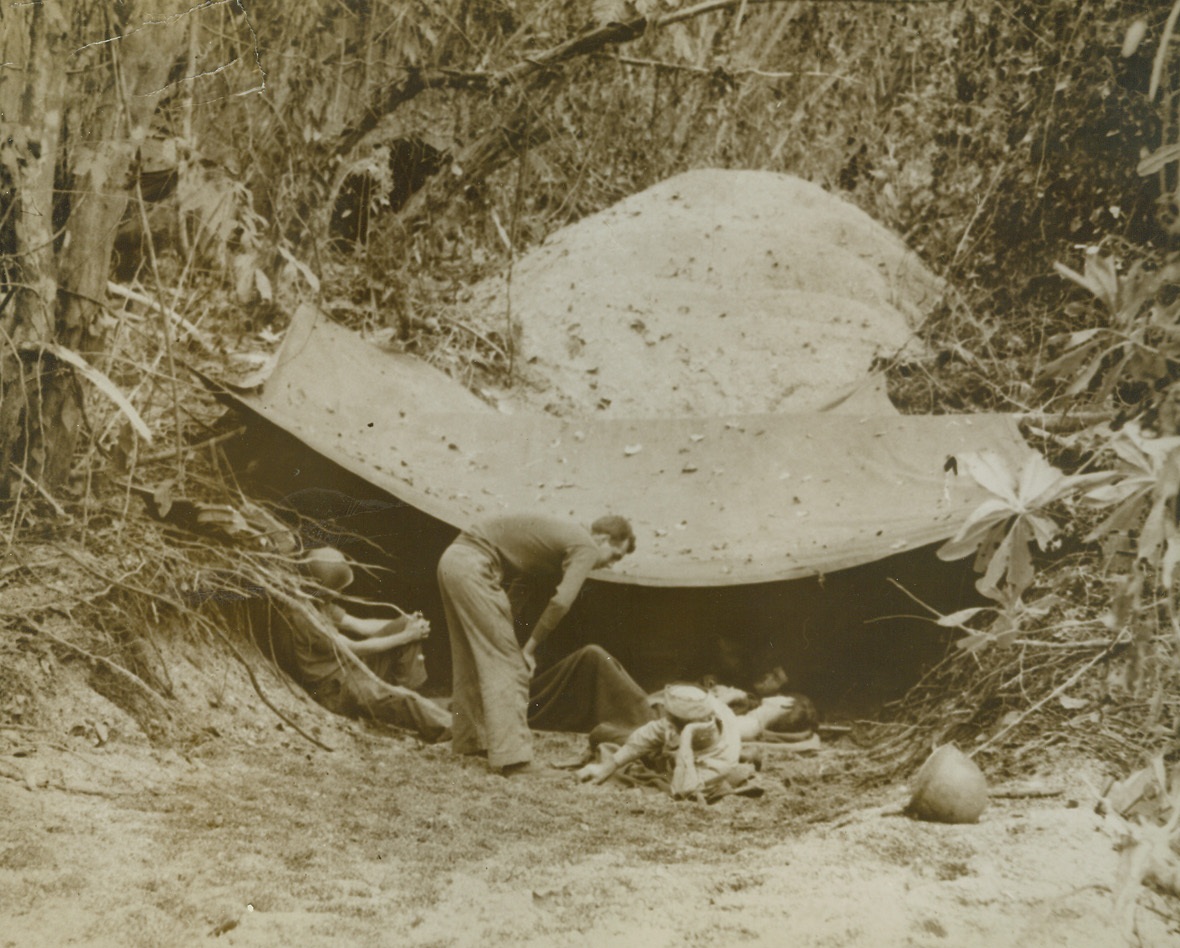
693, 750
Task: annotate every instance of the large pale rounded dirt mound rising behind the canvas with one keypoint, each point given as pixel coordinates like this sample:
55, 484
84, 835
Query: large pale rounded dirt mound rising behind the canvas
712, 293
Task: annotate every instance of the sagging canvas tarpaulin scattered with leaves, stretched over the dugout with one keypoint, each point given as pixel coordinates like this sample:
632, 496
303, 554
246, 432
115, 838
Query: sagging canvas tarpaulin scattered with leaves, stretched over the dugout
716, 502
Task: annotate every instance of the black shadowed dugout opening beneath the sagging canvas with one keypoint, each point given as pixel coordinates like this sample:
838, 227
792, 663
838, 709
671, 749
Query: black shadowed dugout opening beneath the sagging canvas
851, 640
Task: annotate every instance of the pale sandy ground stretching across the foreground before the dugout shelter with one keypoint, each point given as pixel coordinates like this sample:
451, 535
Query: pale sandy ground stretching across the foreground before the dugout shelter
254, 838
